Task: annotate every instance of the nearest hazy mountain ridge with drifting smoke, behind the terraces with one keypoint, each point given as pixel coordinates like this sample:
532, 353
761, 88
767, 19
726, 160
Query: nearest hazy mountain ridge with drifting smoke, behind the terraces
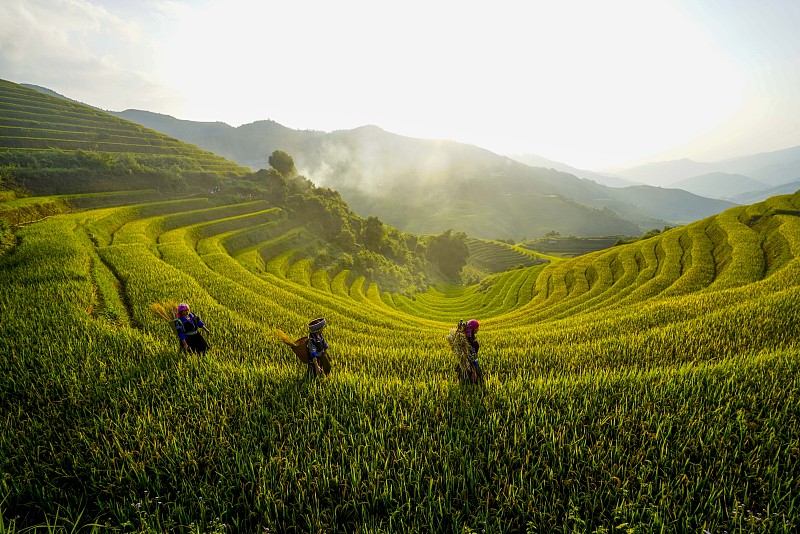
428, 186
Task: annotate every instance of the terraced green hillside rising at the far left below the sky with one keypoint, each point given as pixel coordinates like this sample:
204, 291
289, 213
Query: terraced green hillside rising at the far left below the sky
52, 145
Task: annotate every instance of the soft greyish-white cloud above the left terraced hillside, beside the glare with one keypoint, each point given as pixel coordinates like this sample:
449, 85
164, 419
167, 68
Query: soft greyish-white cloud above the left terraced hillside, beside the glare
81, 50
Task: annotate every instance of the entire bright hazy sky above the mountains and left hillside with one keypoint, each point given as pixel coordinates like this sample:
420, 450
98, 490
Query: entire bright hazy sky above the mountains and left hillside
586, 82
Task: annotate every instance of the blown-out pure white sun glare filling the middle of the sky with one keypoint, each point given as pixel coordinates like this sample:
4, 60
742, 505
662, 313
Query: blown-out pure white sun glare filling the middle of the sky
583, 82
